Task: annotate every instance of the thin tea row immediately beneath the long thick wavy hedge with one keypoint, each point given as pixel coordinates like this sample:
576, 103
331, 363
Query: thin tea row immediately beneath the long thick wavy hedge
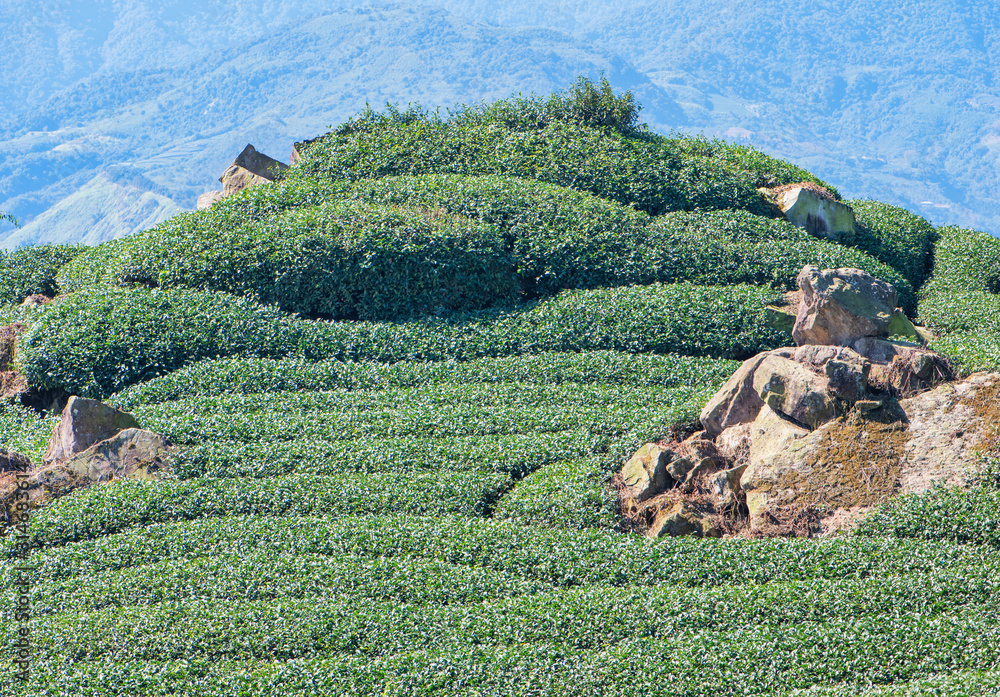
258, 376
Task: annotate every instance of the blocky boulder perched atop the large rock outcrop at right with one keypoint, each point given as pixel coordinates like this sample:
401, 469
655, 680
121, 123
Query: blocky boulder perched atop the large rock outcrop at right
840, 306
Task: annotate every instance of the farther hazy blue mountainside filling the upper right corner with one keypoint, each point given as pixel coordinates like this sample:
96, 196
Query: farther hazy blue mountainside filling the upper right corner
893, 100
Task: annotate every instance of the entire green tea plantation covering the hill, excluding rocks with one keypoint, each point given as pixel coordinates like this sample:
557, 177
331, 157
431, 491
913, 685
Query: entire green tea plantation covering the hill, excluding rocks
399, 380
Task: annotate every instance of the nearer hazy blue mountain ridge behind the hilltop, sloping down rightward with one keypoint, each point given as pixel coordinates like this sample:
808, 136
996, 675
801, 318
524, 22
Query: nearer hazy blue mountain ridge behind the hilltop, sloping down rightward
180, 126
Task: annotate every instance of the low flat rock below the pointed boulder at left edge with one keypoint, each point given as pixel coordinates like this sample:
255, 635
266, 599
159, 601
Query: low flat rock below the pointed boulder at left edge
131, 453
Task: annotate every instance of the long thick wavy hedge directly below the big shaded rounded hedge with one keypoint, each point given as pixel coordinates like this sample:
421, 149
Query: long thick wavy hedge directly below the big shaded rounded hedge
95, 343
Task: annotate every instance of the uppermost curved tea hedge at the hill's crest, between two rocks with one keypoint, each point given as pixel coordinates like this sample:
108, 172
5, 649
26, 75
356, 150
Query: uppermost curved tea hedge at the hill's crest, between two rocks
646, 173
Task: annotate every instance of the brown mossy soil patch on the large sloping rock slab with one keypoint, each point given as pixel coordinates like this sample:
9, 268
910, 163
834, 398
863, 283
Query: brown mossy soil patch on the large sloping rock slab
857, 461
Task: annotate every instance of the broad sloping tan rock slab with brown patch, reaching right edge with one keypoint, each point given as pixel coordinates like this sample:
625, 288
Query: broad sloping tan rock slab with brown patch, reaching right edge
853, 462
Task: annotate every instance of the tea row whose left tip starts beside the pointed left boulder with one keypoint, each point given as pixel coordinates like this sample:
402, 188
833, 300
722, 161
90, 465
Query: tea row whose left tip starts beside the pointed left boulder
437, 410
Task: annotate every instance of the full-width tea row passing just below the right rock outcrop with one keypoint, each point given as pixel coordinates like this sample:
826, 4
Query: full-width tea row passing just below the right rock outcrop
553, 555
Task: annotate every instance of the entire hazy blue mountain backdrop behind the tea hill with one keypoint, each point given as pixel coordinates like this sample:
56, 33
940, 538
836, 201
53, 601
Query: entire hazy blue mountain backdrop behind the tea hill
890, 100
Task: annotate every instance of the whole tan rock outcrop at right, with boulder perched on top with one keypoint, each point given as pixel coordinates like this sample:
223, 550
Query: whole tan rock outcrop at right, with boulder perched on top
806, 436
